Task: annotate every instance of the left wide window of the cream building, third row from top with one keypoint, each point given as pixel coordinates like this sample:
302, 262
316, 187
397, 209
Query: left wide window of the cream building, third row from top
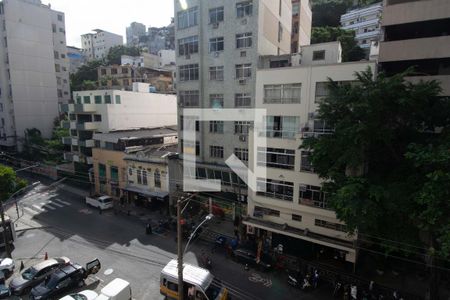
276, 158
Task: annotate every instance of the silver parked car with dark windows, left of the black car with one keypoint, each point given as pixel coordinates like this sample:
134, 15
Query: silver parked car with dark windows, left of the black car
34, 275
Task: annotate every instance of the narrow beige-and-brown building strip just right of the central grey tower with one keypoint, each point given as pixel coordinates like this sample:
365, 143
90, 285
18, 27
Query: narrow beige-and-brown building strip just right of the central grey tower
301, 24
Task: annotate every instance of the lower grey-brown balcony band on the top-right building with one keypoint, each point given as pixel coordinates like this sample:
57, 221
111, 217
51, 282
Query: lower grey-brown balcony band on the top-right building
415, 49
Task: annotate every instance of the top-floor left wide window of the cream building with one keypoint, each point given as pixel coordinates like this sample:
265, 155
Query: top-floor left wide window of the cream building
282, 93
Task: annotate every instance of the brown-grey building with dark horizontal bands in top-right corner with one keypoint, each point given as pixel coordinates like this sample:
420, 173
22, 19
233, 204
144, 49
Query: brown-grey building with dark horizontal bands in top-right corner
416, 33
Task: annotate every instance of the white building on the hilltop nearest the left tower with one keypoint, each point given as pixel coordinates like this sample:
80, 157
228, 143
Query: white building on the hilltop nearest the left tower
96, 45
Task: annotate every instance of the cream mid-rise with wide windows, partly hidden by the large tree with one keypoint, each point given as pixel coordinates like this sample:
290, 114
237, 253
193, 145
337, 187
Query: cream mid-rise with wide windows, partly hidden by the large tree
293, 204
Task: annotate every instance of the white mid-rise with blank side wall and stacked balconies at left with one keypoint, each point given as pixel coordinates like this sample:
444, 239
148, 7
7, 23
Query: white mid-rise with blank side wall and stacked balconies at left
104, 111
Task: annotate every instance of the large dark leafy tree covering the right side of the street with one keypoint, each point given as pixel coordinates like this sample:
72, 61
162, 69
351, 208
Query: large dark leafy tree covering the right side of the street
387, 164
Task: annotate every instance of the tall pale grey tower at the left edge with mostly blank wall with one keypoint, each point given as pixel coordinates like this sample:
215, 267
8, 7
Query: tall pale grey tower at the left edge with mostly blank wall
34, 69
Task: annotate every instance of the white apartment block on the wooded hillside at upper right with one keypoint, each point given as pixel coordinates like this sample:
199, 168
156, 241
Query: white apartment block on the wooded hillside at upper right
366, 22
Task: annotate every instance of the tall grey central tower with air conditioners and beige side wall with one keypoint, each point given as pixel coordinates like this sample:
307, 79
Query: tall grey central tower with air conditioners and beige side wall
218, 48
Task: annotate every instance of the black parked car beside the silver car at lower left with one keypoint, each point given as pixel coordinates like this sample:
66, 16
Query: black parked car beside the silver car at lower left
64, 280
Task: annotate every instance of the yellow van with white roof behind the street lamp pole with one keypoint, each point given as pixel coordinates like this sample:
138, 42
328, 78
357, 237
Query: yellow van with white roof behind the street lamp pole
198, 284
